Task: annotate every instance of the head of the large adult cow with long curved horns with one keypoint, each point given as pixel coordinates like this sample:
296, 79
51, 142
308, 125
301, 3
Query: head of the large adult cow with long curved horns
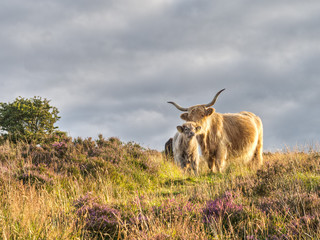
197, 113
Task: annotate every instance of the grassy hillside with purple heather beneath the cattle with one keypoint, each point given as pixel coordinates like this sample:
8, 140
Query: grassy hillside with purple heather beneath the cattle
107, 189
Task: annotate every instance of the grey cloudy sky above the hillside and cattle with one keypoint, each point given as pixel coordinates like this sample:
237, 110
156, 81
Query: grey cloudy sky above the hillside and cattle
110, 66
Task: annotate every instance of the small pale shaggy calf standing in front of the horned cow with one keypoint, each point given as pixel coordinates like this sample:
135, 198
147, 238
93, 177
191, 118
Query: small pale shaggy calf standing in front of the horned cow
185, 147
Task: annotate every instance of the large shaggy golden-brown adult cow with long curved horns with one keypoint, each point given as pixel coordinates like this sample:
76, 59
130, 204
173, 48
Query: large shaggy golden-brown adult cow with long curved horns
225, 136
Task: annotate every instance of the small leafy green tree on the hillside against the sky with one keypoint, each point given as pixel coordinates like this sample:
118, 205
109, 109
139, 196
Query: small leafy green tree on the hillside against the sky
30, 120
